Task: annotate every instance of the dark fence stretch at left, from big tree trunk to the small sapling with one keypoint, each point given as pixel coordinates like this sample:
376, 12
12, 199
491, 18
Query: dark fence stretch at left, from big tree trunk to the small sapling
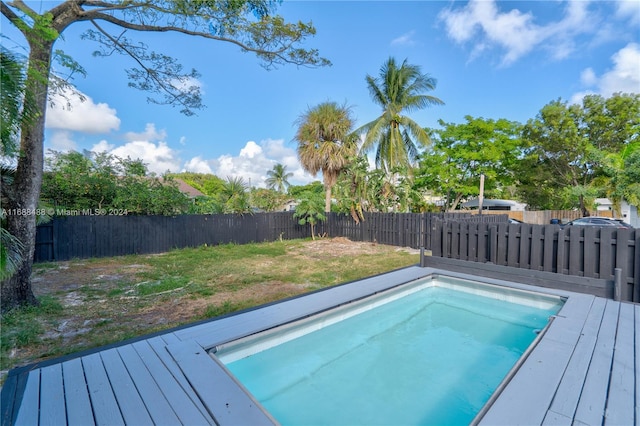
70, 237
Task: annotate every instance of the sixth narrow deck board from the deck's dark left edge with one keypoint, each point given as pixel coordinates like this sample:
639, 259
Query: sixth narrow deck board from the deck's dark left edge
157, 404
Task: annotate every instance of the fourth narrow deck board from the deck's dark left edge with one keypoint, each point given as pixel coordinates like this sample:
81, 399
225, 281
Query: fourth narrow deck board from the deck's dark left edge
105, 407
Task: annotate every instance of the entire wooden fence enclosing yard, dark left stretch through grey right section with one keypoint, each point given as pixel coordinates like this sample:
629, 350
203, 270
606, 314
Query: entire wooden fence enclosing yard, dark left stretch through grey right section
587, 259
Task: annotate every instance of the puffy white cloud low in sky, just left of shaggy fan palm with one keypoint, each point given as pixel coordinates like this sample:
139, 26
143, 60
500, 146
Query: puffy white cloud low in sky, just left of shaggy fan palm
255, 160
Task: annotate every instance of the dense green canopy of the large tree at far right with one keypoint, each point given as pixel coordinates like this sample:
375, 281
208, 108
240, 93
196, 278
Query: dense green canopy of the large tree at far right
567, 144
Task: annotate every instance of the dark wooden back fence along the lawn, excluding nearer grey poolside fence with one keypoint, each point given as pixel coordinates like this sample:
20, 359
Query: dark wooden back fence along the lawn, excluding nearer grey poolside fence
70, 237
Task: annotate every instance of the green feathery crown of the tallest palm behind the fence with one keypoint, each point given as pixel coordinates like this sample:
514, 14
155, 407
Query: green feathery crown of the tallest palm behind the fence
397, 90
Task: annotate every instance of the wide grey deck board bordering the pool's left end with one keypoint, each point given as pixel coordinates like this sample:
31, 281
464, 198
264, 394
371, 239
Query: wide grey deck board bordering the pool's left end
227, 402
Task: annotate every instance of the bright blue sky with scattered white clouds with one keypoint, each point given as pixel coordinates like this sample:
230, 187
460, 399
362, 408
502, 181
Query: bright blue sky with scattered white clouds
491, 59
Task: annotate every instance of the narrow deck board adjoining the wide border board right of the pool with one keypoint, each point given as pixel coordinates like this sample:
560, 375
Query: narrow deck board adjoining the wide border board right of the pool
568, 393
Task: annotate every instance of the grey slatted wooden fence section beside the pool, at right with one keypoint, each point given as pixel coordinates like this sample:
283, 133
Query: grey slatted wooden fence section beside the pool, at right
600, 257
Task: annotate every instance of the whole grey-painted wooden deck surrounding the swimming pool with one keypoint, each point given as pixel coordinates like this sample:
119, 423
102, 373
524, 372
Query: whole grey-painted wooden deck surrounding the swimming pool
583, 370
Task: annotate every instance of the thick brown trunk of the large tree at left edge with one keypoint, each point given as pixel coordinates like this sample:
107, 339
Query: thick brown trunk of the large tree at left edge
25, 189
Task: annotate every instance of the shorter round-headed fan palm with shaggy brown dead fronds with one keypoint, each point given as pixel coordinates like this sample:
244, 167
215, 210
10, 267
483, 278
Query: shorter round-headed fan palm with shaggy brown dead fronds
325, 142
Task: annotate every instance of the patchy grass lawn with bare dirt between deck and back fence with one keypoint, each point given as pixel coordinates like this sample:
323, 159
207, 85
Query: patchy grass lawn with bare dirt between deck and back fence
89, 303
